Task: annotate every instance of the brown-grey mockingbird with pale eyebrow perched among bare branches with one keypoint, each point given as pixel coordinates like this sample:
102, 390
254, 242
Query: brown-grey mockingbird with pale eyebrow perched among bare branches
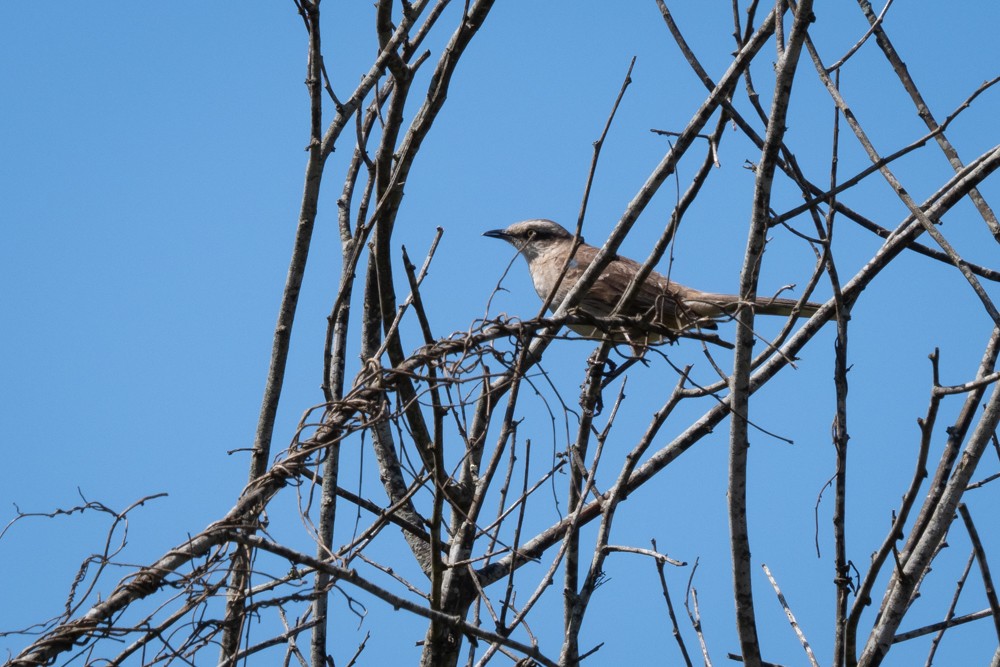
659, 309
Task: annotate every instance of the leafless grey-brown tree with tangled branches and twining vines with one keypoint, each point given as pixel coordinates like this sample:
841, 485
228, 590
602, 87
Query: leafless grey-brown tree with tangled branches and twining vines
461, 477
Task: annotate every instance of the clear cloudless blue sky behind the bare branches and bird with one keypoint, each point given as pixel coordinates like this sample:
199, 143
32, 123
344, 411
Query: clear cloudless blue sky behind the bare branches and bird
152, 162
